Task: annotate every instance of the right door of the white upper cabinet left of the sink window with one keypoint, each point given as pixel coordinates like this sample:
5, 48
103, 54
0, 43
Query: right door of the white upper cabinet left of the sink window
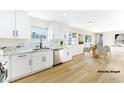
21, 25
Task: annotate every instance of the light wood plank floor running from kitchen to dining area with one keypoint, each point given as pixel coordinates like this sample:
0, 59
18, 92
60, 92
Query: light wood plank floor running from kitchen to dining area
82, 68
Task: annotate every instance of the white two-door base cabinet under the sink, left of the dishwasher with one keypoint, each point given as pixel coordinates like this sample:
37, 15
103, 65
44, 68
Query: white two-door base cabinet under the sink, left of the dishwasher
42, 60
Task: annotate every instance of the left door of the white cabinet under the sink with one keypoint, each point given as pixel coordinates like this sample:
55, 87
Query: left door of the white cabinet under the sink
37, 63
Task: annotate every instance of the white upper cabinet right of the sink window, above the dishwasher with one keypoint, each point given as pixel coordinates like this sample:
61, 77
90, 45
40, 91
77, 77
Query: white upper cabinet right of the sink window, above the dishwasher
58, 30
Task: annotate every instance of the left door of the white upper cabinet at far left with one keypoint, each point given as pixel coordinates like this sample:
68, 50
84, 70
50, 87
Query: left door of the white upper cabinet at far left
7, 24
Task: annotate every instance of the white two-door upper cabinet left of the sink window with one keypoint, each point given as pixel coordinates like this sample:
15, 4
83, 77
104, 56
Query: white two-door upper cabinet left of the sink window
13, 24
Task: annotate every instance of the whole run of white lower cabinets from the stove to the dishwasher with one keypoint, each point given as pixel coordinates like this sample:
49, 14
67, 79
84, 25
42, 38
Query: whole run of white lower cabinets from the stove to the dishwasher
28, 63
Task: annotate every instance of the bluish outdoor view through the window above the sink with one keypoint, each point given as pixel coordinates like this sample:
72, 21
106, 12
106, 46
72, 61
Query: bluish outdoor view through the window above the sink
39, 33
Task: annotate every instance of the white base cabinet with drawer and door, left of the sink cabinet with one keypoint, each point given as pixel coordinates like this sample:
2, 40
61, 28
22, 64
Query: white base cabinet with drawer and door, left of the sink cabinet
20, 65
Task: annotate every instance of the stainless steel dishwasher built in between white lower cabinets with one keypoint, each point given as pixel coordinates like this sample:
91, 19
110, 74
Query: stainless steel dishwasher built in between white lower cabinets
56, 56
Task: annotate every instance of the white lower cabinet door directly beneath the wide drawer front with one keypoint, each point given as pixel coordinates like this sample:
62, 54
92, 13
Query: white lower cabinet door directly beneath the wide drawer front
20, 68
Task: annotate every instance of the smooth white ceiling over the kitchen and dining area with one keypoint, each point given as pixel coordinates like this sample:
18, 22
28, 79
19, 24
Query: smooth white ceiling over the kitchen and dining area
92, 20
